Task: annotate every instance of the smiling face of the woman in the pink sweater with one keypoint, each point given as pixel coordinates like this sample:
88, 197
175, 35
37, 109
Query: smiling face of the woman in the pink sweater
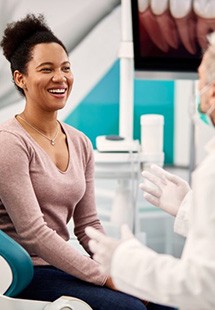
49, 79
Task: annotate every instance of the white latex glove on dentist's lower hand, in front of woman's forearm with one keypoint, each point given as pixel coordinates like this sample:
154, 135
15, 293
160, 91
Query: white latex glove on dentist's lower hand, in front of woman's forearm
103, 246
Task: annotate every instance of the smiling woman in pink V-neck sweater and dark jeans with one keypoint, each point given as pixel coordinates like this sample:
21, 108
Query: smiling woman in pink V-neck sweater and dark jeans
47, 174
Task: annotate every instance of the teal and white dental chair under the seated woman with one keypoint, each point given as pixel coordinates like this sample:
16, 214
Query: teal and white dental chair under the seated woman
16, 272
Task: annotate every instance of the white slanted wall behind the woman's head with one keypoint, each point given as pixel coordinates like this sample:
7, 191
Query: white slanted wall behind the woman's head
90, 29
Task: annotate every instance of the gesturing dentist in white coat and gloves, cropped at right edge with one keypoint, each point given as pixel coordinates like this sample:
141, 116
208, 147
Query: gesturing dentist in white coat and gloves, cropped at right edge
187, 283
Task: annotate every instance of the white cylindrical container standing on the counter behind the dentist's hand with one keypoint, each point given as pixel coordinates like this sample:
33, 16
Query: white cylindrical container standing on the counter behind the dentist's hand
152, 133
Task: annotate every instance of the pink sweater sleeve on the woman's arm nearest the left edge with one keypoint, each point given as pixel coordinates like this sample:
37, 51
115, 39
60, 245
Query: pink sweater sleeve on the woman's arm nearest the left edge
19, 199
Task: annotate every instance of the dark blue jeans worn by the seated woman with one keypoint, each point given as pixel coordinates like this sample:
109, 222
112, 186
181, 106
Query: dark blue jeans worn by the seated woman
50, 283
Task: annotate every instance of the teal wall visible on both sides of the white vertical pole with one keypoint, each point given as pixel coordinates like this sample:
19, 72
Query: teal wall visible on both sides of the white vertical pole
98, 113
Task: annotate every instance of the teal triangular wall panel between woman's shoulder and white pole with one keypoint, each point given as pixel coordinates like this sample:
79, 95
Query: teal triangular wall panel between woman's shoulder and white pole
98, 113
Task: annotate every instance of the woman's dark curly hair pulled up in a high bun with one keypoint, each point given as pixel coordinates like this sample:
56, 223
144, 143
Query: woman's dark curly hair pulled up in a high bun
21, 36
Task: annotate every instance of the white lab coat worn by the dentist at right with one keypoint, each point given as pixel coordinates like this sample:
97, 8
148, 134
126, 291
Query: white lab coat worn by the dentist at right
187, 283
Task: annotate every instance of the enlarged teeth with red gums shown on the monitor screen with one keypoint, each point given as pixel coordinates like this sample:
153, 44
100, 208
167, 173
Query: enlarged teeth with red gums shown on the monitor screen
170, 22
